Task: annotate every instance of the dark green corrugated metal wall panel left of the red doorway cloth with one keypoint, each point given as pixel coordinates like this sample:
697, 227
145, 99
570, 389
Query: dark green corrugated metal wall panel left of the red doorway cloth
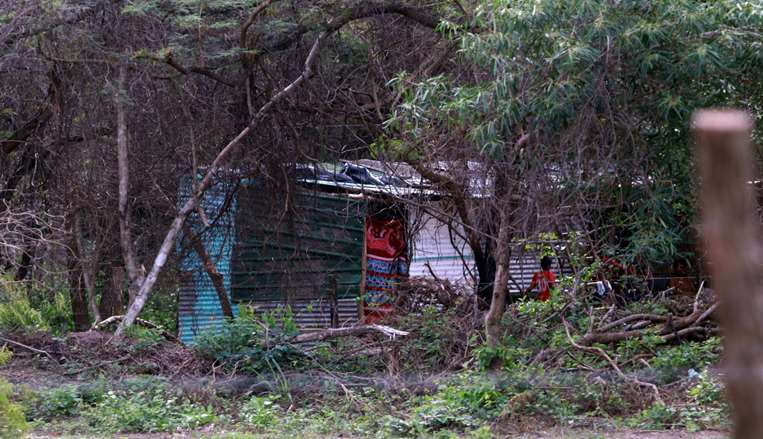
300, 256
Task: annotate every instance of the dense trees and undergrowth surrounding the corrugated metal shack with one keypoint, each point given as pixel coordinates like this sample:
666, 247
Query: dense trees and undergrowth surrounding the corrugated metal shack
573, 117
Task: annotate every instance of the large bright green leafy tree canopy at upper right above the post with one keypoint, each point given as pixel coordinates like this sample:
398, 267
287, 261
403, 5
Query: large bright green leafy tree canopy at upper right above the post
588, 71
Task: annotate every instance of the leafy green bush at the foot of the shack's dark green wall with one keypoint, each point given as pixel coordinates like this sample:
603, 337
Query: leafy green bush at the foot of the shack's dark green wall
253, 344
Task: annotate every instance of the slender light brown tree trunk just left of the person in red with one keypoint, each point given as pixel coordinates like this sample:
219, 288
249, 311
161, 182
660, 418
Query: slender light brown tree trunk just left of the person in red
500, 286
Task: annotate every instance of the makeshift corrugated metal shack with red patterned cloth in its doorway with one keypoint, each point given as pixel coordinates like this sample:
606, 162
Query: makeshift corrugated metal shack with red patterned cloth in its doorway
350, 233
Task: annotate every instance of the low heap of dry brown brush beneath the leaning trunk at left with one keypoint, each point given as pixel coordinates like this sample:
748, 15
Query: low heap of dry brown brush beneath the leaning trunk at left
98, 351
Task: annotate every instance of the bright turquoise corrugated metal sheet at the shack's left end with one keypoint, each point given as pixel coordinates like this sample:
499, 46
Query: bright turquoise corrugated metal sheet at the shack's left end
199, 306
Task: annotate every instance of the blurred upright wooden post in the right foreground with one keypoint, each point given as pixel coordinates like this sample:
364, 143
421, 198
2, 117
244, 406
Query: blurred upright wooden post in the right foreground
730, 231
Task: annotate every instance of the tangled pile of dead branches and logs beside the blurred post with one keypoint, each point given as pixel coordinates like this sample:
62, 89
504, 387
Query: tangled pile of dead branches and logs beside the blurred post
596, 328
